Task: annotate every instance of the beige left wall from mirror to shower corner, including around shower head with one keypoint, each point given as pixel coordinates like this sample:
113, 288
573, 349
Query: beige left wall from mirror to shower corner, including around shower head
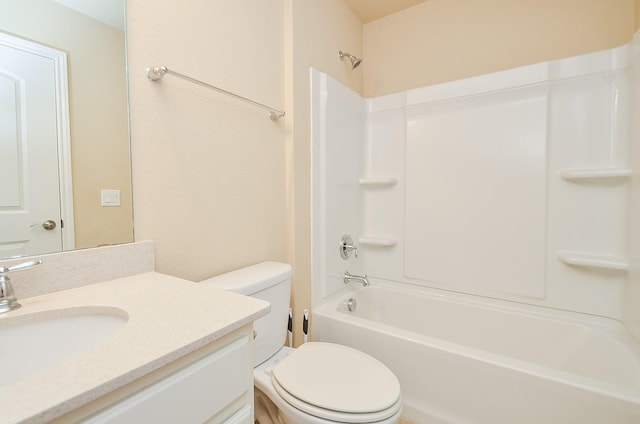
217, 185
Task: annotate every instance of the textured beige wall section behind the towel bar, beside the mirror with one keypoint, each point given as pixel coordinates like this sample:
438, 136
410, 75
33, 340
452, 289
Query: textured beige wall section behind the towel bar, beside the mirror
209, 171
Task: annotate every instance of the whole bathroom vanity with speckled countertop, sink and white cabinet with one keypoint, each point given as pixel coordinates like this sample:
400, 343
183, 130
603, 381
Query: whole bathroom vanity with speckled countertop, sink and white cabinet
163, 350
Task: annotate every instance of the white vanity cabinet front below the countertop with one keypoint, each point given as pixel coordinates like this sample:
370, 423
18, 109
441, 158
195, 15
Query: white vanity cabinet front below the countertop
212, 385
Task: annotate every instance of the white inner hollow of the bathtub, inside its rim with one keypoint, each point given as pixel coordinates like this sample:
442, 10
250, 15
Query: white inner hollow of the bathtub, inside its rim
592, 347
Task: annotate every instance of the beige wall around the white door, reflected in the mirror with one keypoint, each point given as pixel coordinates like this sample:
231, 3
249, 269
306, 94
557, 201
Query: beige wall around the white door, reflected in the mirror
97, 107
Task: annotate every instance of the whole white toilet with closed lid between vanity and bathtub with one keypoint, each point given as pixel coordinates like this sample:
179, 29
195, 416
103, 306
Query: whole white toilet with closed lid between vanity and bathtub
317, 383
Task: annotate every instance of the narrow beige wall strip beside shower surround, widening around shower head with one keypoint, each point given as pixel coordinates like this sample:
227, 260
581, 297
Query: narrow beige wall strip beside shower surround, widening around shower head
316, 31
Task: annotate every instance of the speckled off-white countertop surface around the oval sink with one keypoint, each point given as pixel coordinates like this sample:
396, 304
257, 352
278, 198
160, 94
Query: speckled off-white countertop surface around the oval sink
167, 318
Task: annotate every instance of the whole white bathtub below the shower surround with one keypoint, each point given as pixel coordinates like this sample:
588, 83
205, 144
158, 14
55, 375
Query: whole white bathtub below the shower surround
461, 360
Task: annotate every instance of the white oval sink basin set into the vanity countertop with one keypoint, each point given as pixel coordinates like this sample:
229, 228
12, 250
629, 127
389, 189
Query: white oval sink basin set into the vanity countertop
33, 343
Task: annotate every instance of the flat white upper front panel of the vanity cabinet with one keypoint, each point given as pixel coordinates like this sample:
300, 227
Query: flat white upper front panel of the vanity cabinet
193, 394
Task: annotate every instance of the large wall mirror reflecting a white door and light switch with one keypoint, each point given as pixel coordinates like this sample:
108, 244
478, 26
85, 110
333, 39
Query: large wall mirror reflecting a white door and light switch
64, 131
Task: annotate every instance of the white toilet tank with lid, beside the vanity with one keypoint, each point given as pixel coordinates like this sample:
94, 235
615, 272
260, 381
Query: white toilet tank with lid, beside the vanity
270, 281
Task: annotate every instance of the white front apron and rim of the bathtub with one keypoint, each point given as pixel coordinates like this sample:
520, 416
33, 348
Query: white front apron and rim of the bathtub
445, 382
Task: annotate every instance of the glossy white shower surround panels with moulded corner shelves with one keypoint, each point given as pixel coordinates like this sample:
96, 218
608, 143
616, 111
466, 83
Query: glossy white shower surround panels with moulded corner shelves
478, 186
